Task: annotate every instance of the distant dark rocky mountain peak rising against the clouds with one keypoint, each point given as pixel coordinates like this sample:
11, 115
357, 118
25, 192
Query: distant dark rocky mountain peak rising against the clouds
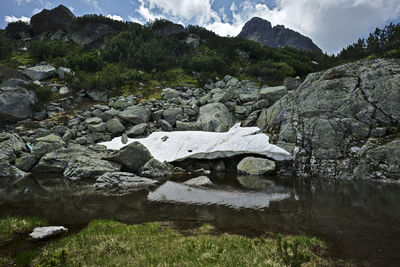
261, 31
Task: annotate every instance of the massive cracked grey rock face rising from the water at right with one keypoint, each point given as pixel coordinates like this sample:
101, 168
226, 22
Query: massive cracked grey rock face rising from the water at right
332, 115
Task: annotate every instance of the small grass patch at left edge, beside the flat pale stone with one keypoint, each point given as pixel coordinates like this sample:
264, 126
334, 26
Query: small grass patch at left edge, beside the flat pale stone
12, 226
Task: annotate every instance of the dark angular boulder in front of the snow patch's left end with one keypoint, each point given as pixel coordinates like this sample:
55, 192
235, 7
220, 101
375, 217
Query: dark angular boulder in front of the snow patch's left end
132, 157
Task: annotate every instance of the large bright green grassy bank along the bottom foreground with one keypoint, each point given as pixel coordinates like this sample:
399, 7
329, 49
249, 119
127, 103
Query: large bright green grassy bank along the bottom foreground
108, 243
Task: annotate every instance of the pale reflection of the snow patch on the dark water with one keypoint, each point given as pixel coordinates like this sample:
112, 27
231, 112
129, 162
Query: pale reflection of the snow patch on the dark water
179, 193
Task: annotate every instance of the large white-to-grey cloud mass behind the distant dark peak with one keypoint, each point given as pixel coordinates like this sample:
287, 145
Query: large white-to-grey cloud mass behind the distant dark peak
332, 24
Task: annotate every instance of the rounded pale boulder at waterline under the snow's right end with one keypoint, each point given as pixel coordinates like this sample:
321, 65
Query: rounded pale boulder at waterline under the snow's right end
255, 166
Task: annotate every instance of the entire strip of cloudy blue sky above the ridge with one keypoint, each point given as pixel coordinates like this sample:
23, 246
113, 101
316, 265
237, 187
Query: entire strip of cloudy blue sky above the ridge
331, 24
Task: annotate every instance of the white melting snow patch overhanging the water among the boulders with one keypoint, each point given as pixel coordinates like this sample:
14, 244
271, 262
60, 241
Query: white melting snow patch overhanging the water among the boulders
175, 146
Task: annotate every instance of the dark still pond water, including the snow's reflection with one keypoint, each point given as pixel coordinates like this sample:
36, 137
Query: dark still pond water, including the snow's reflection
359, 220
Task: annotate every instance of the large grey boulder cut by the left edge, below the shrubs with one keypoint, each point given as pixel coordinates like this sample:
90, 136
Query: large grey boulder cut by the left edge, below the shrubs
16, 104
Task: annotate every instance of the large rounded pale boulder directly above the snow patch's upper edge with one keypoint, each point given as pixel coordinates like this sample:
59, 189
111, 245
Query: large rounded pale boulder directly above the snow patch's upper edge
214, 117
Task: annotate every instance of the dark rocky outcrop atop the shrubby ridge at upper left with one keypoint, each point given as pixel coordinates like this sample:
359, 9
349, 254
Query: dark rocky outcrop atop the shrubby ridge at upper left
58, 18
